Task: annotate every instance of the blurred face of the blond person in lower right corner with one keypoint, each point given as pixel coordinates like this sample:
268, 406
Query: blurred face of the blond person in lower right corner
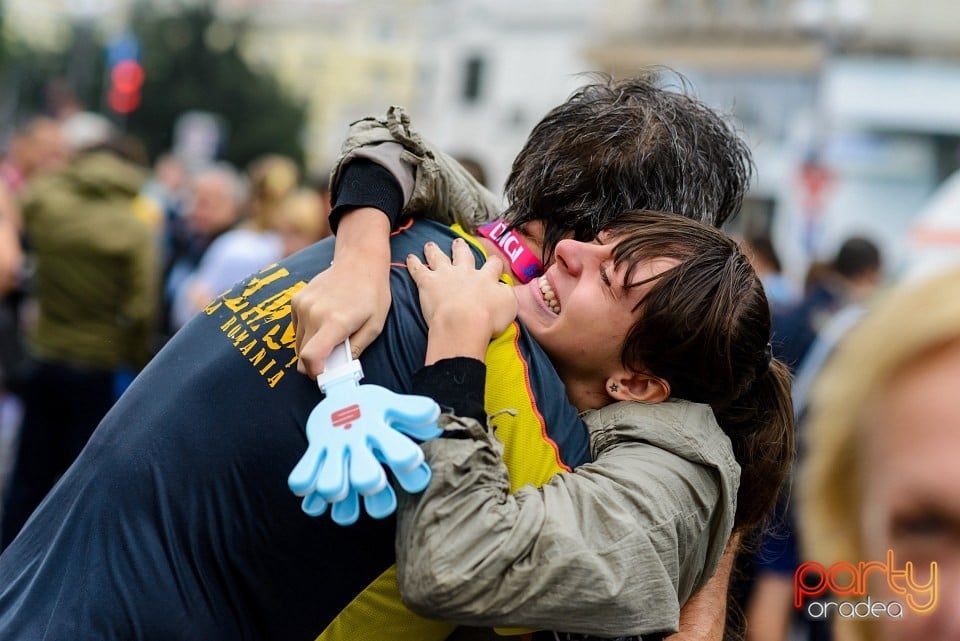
911, 489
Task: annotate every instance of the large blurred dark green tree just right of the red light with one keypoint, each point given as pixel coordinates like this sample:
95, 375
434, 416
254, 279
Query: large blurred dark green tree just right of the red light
192, 61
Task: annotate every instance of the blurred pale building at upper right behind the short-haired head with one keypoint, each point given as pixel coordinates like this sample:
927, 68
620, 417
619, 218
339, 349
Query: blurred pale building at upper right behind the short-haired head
848, 104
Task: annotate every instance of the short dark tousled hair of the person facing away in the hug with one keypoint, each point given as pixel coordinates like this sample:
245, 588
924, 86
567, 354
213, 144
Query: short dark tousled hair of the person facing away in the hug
615, 146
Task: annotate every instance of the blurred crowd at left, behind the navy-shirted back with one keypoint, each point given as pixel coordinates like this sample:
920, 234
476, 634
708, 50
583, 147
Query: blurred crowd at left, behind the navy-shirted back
103, 257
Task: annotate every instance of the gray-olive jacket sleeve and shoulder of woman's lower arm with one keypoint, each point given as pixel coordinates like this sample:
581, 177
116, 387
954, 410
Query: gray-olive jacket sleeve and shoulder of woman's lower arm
613, 548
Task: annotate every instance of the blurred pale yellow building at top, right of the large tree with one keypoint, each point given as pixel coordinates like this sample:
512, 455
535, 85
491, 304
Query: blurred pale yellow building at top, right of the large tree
348, 59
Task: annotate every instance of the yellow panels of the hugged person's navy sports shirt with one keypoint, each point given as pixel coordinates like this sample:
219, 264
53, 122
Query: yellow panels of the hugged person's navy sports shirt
377, 613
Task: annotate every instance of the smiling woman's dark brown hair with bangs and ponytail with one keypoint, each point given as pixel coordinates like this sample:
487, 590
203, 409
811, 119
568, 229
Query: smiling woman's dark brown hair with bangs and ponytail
704, 327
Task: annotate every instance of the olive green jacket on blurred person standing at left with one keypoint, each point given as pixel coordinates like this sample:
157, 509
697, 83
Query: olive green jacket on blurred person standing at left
97, 271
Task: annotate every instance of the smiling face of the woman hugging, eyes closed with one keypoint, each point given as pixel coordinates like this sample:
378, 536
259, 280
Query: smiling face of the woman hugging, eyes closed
581, 310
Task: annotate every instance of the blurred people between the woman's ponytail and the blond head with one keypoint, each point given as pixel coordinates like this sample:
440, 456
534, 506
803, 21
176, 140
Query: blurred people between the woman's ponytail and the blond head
808, 321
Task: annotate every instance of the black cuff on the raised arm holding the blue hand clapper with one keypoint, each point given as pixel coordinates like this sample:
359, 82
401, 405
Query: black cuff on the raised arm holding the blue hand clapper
364, 183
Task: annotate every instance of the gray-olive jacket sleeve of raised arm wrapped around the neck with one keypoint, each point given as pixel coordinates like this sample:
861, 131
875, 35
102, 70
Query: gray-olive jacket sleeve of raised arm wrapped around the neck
434, 184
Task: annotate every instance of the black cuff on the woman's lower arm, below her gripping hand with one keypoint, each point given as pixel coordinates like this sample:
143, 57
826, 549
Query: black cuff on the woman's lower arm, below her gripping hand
456, 384
